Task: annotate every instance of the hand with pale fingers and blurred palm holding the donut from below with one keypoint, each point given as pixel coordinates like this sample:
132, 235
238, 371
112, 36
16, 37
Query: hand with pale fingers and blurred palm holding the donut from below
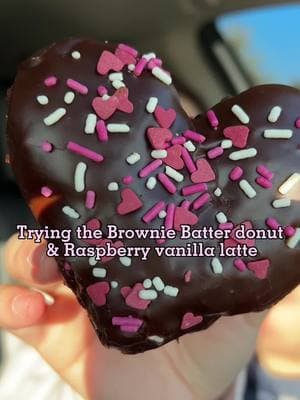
200, 366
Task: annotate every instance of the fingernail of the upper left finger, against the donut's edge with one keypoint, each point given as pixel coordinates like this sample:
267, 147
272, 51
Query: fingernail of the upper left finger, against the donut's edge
44, 268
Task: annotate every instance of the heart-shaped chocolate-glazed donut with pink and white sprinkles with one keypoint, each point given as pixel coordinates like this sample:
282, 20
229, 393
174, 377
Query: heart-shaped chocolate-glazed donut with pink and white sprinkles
138, 162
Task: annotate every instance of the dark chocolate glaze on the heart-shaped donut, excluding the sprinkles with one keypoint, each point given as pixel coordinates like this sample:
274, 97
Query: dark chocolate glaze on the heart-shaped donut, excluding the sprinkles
208, 294
